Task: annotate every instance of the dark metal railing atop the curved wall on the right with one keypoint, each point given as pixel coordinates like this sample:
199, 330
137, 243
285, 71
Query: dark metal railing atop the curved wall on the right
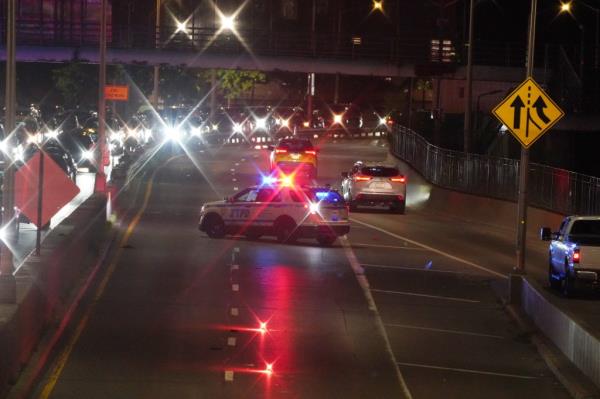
554, 189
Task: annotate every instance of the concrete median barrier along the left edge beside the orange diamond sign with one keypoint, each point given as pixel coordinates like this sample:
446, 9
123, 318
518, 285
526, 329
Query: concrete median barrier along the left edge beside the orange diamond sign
44, 283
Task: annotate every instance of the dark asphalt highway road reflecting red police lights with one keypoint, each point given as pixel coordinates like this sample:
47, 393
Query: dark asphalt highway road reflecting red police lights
404, 306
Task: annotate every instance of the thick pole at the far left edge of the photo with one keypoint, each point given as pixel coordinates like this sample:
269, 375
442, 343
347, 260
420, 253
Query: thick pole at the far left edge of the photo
8, 285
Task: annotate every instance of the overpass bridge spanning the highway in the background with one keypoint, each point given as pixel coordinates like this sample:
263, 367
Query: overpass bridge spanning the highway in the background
384, 56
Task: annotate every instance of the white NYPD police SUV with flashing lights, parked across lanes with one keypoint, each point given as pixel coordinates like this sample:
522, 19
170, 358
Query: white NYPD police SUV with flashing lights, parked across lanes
281, 210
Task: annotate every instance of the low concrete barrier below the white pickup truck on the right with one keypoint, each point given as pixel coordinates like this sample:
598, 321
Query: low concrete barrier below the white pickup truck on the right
577, 341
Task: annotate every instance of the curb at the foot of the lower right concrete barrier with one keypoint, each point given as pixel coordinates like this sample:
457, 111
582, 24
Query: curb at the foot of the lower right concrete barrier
575, 382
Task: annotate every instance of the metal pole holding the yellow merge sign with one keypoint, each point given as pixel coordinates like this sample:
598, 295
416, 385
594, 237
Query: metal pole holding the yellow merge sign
524, 164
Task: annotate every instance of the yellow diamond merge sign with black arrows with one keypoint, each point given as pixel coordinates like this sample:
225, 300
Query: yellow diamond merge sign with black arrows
528, 112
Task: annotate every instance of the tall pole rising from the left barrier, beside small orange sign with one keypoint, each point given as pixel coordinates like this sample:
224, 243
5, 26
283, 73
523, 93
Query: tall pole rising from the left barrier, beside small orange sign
100, 185
